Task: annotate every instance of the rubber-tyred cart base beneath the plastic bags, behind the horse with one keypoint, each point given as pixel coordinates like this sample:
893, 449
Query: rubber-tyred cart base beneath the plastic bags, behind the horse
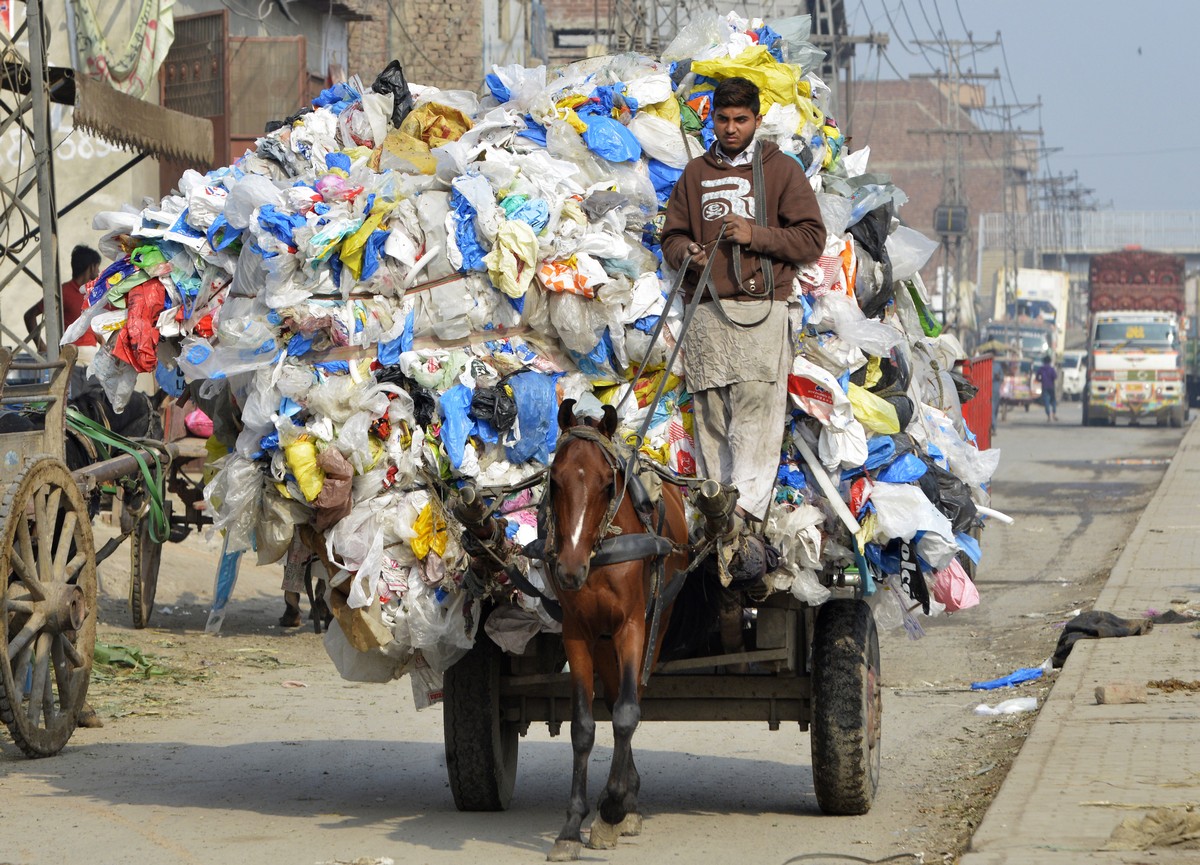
814, 666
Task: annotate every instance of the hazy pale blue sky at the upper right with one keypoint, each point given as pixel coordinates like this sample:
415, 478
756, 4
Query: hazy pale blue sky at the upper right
1118, 82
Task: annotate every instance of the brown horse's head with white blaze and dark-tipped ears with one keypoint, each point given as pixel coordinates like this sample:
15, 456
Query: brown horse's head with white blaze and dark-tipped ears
581, 488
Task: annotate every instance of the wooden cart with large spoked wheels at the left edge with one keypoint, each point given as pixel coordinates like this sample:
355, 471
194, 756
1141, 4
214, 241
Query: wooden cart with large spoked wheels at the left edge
49, 564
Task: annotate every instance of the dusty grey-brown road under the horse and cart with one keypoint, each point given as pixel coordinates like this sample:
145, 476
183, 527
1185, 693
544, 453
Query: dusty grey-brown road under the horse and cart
249, 748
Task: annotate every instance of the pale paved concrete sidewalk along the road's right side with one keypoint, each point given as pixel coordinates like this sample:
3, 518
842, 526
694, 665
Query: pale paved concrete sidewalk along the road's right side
1087, 768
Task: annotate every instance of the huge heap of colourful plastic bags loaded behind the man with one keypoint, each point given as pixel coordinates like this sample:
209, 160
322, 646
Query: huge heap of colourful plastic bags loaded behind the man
393, 293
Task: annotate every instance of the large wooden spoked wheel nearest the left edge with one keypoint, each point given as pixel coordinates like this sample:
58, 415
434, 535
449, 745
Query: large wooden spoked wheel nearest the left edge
47, 608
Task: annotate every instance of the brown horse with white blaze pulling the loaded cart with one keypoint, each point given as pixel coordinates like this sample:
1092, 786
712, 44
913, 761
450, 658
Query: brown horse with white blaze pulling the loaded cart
607, 608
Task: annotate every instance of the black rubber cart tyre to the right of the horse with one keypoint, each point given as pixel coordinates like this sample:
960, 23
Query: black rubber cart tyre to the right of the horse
847, 707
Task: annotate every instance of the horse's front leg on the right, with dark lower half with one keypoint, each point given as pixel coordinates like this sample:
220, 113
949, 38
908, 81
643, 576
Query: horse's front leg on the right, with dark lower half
620, 801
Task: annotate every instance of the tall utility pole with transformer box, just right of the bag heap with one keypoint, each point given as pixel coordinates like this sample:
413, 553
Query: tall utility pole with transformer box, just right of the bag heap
951, 218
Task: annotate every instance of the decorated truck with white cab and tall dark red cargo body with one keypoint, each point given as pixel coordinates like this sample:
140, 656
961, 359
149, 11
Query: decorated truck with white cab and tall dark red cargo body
1136, 339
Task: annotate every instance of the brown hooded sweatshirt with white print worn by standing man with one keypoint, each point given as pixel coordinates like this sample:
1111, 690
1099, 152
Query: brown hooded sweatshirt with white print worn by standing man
712, 189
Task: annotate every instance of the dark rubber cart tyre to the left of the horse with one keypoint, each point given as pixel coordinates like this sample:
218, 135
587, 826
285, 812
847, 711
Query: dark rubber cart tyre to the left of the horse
482, 748
